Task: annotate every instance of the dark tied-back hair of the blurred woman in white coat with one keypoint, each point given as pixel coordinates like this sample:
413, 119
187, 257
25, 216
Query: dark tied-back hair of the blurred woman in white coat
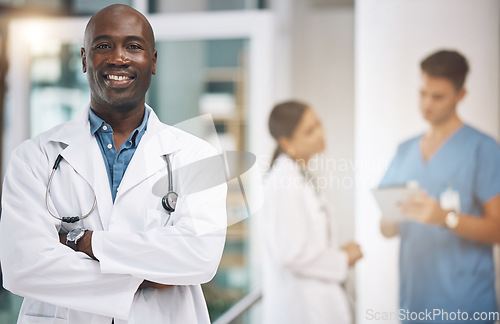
284, 120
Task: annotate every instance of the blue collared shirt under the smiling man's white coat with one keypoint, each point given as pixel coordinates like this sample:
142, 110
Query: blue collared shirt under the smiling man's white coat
116, 160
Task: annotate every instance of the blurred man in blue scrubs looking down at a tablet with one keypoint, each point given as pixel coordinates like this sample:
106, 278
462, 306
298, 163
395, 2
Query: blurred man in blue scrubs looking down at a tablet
446, 261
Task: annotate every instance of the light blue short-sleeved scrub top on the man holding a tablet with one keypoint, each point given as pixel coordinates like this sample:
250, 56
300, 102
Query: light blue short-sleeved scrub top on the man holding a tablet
439, 269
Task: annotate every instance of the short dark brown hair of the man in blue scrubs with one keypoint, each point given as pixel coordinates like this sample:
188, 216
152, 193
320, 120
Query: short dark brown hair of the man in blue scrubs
450, 65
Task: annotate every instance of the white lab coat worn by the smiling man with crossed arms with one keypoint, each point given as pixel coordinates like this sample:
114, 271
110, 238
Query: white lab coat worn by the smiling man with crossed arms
131, 238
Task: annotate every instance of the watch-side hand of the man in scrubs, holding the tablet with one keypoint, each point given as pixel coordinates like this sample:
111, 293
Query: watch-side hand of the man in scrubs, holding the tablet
424, 209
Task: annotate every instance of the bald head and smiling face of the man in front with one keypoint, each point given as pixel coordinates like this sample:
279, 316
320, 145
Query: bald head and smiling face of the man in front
119, 58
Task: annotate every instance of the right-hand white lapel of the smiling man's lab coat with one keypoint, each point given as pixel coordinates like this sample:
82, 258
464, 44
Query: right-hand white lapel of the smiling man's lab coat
158, 140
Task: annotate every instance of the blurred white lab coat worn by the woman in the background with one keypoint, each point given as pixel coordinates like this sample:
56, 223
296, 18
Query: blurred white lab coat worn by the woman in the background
303, 267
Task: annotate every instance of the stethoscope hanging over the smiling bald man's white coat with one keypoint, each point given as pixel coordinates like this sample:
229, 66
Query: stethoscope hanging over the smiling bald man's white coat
169, 201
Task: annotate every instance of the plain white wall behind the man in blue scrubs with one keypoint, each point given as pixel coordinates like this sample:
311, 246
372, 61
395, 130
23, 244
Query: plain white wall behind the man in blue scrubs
392, 36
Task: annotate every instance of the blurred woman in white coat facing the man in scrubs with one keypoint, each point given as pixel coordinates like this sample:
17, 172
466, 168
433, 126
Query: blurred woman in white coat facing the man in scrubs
304, 267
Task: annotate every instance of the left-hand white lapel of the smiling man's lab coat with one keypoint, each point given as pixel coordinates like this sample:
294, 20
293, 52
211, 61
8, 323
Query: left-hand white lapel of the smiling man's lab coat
85, 157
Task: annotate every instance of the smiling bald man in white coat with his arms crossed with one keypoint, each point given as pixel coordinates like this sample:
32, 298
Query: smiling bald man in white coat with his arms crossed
129, 260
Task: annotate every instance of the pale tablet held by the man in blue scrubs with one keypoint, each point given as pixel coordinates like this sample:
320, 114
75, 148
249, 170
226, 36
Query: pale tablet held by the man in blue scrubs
390, 198
